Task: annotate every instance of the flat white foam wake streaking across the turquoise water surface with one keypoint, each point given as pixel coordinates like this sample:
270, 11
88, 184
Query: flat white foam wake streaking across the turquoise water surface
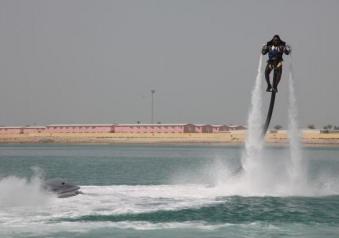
123, 199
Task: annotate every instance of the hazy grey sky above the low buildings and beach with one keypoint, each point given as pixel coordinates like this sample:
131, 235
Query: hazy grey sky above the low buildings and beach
77, 61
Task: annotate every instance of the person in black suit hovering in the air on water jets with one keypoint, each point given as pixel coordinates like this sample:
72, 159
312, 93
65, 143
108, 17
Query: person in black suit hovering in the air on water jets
275, 49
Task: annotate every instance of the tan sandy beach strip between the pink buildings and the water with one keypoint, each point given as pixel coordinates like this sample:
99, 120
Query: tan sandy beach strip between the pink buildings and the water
232, 138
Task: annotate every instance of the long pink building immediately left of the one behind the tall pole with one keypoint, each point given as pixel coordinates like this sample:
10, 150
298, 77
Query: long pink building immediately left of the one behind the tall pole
80, 128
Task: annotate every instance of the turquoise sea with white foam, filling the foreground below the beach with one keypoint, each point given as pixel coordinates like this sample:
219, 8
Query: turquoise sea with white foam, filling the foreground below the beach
166, 191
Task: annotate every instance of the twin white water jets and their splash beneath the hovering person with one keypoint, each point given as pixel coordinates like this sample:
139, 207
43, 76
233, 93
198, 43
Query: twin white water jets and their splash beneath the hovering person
265, 173
